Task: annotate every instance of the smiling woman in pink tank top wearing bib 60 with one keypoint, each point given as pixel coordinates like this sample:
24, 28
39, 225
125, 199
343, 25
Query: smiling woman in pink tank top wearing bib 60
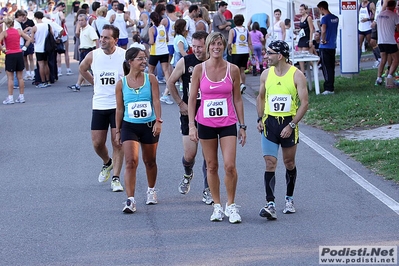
217, 83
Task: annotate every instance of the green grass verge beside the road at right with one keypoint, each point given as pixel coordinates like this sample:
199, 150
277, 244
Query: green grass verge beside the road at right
358, 104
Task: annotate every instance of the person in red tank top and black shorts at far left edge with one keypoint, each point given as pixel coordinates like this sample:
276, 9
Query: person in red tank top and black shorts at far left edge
14, 58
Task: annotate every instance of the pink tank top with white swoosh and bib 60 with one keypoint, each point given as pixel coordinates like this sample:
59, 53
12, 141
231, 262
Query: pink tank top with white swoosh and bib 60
217, 109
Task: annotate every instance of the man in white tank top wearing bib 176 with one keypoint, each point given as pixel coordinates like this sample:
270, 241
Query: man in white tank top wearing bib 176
106, 64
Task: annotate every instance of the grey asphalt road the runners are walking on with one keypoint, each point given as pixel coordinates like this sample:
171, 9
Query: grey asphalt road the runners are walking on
54, 211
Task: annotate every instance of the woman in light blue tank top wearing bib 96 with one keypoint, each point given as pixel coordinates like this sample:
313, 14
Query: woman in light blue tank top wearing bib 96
138, 123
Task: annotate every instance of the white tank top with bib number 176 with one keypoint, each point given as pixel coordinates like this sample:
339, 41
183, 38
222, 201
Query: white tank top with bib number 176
107, 71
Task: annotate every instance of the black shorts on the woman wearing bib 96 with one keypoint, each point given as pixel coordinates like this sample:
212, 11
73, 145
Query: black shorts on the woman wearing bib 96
138, 132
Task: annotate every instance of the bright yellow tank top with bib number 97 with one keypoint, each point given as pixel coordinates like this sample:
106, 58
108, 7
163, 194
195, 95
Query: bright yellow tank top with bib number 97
281, 97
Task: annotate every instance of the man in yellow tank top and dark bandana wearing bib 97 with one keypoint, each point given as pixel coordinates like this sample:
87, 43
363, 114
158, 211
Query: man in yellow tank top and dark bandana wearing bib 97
282, 88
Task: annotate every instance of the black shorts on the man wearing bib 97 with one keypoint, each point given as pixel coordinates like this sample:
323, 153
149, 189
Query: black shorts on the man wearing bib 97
274, 126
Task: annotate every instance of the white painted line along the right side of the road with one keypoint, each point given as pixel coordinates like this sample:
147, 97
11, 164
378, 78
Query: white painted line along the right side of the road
373, 190
